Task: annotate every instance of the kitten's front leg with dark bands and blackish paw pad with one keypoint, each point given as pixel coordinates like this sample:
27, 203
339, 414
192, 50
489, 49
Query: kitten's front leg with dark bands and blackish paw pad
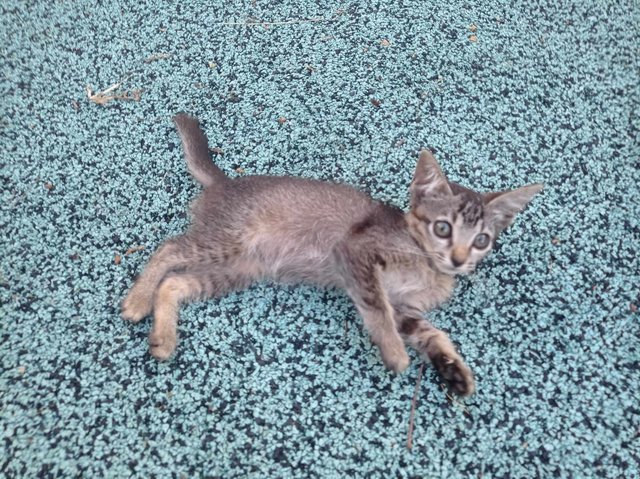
436, 346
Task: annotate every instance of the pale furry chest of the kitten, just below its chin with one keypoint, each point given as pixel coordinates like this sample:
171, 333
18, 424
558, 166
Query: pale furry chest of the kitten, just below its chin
420, 288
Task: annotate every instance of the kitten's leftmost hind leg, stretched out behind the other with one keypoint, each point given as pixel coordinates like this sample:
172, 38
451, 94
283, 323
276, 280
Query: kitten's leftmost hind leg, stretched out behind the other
139, 300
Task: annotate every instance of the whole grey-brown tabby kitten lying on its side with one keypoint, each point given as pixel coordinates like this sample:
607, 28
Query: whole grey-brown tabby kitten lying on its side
393, 265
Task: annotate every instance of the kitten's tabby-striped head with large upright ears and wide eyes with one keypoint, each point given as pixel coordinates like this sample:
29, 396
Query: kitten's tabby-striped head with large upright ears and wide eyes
457, 225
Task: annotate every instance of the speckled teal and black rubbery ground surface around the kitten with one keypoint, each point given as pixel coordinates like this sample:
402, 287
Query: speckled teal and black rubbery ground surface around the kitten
282, 381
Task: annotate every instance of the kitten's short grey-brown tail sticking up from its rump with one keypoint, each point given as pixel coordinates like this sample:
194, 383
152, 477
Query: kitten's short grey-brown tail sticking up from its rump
196, 151
